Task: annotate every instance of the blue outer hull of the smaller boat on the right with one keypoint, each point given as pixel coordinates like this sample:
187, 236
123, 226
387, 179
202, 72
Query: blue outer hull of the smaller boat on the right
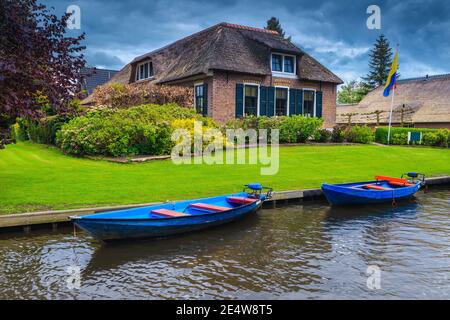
345, 194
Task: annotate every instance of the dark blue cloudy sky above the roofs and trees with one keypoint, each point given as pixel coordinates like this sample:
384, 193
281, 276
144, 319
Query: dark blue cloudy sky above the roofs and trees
334, 32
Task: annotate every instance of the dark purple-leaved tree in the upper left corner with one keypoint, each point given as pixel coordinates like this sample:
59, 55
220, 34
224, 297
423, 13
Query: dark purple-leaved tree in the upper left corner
36, 57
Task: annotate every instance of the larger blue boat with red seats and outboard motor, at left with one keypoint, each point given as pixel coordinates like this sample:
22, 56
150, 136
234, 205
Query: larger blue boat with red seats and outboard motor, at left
173, 218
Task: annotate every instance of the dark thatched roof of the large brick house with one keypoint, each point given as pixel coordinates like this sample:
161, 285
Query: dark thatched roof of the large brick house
226, 47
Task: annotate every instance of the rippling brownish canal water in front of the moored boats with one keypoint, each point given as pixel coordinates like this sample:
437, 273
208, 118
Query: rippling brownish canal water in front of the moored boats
292, 252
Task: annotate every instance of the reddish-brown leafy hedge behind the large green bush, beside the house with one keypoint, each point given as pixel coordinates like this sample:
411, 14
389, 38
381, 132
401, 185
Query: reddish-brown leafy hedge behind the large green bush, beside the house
118, 95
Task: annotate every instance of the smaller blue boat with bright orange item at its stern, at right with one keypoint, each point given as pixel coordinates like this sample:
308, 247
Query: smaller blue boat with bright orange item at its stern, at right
383, 189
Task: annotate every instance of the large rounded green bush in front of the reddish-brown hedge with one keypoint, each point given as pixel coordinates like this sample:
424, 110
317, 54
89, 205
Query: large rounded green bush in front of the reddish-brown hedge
145, 129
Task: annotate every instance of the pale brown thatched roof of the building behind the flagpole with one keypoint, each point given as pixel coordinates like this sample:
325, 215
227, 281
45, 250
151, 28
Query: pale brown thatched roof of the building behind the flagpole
423, 100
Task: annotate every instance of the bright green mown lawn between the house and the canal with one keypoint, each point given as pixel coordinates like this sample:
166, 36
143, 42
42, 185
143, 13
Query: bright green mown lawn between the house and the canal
36, 177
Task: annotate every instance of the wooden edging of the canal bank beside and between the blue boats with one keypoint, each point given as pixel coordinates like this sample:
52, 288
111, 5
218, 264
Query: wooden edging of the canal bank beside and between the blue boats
46, 219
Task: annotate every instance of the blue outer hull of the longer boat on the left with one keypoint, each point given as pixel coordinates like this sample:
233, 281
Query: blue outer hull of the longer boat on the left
118, 229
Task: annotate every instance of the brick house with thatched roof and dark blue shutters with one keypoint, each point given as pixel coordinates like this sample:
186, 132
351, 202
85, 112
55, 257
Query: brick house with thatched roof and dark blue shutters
236, 70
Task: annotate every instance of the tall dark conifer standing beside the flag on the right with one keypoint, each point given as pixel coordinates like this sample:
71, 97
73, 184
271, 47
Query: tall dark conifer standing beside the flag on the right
380, 60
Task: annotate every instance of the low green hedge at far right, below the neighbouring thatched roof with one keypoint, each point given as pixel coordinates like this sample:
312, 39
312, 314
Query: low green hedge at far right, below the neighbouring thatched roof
430, 137
